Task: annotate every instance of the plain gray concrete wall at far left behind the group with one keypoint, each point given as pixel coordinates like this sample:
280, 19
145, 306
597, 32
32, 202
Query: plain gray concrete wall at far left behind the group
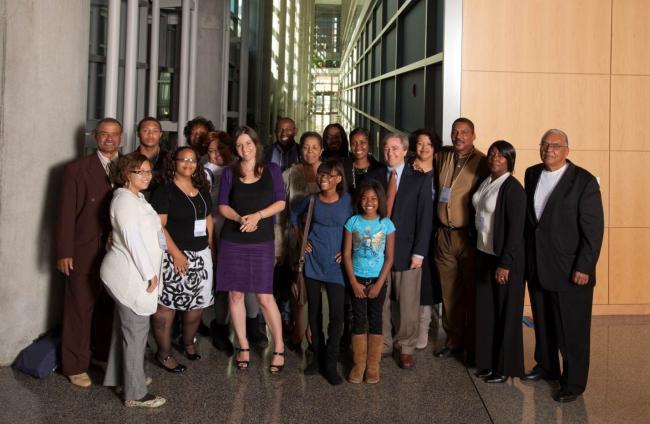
43, 77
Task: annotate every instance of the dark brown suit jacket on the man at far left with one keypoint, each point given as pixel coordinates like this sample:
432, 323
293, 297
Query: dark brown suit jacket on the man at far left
84, 224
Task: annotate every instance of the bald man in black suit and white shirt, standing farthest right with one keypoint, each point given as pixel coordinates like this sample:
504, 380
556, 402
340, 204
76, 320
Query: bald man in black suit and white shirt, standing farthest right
564, 233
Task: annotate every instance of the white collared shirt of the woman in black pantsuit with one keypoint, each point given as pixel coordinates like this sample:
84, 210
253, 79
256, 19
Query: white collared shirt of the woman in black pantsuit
485, 202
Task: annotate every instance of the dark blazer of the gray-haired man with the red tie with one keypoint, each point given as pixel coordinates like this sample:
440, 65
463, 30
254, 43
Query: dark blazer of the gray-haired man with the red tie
412, 214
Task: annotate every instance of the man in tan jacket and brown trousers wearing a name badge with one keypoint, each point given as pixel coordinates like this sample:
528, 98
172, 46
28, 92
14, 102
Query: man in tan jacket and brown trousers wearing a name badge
460, 168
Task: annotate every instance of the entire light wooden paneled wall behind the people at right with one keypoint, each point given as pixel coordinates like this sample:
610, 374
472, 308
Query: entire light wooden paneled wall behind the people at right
578, 65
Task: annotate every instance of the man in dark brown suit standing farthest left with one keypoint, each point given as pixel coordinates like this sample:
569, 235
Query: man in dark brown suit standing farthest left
82, 231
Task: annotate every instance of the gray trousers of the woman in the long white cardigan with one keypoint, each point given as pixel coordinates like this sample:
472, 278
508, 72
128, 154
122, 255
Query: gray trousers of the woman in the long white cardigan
126, 358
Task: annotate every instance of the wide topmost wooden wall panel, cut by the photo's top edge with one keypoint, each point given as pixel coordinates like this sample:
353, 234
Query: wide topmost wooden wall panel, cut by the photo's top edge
571, 36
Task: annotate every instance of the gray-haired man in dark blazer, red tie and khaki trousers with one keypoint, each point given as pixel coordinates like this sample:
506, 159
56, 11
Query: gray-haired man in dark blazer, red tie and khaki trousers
410, 207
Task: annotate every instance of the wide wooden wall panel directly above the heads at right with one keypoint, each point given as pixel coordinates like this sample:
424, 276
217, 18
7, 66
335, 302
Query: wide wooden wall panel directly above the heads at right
520, 107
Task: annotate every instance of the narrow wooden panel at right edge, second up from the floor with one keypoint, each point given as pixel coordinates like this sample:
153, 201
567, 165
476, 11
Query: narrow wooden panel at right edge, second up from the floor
630, 203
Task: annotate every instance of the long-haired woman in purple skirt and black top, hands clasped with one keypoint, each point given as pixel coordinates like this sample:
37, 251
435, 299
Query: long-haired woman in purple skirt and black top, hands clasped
251, 193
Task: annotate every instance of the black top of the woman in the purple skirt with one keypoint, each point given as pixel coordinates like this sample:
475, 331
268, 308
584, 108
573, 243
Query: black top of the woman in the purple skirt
247, 199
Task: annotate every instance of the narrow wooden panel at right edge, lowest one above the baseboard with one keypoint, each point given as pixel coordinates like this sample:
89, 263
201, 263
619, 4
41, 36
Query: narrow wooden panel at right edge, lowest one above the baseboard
628, 275
